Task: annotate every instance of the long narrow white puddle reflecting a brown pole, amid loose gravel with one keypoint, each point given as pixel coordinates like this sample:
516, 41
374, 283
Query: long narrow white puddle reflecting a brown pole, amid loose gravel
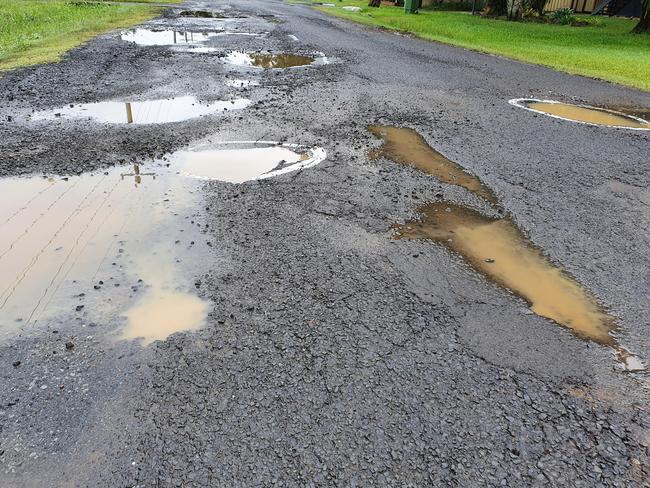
147, 112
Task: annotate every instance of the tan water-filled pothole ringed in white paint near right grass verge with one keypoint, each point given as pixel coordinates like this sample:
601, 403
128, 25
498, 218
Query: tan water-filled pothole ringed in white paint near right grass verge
582, 113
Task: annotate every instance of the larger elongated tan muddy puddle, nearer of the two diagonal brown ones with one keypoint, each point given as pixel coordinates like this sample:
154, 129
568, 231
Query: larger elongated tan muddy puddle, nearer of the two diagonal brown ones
499, 250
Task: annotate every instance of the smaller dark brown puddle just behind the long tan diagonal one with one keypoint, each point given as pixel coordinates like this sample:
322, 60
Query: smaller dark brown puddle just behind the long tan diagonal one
406, 146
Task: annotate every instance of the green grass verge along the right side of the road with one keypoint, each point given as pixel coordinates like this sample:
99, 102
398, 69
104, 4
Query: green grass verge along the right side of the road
607, 50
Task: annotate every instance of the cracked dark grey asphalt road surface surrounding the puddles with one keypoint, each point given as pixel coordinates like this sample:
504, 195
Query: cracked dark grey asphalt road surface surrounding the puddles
335, 355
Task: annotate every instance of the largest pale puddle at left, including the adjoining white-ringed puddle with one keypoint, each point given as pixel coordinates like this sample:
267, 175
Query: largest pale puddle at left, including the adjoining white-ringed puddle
121, 245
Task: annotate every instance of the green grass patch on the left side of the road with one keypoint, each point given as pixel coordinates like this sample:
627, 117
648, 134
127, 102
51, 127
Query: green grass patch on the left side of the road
37, 31
